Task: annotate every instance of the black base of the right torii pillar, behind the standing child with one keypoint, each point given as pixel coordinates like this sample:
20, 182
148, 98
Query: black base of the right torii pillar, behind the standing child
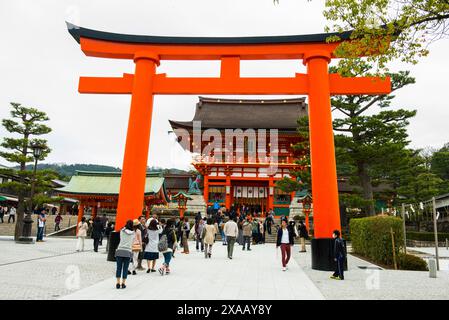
323, 255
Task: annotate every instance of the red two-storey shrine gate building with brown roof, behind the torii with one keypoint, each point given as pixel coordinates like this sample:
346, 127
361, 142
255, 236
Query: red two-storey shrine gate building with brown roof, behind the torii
254, 150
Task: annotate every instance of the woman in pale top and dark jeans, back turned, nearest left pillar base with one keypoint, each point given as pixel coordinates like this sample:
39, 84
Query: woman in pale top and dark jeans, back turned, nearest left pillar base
123, 254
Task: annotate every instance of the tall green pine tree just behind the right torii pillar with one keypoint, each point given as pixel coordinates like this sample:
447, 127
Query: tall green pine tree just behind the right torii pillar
369, 148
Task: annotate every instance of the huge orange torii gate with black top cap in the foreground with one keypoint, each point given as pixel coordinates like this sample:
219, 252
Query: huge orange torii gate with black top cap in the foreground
318, 84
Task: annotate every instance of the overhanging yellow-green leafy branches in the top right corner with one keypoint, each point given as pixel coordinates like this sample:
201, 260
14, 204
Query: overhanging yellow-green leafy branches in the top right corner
412, 24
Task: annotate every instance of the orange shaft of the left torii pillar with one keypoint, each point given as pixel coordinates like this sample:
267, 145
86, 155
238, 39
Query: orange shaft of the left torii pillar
132, 185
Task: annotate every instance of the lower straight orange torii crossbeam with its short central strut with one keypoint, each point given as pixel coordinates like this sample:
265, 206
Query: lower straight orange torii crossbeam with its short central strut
230, 83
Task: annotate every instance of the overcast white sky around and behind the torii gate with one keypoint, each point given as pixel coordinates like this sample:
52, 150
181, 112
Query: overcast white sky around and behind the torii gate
40, 64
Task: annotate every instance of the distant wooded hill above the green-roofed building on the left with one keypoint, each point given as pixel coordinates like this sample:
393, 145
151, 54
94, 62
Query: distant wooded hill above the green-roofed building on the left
68, 170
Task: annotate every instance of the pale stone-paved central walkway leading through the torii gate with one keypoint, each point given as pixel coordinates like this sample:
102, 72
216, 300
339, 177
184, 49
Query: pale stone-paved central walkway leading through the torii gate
254, 275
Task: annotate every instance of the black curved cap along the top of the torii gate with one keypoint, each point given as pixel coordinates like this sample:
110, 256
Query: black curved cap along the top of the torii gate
78, 32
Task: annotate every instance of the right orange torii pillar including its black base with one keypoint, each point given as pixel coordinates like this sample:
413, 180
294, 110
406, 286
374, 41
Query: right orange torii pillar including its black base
326, 215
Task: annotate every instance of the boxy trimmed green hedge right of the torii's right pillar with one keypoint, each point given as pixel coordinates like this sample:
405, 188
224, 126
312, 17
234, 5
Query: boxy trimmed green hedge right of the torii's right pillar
371, 238
